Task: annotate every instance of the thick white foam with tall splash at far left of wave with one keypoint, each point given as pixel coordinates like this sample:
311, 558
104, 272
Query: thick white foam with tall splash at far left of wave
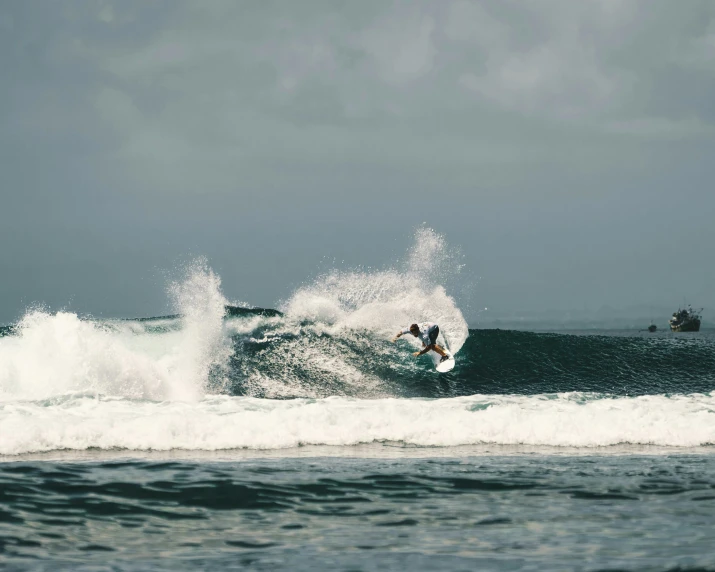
55, 354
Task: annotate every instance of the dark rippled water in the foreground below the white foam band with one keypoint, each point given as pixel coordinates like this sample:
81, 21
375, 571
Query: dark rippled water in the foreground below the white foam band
488, 512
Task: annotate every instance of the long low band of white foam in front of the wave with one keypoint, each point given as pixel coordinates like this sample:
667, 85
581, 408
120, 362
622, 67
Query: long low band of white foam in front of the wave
221, 423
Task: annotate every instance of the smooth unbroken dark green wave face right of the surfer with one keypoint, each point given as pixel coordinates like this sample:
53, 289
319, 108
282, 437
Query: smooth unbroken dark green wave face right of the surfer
526, 362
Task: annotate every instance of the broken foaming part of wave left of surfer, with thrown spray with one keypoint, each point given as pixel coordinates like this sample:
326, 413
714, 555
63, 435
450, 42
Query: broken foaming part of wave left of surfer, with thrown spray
331, 337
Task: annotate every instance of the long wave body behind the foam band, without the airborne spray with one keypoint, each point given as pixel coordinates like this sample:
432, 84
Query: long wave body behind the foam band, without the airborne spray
270, 354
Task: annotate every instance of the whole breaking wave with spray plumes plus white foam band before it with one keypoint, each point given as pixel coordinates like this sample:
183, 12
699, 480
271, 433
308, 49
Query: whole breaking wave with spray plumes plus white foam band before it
321, 369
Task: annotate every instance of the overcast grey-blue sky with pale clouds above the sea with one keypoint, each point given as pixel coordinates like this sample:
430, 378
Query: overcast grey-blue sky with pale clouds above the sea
567, 148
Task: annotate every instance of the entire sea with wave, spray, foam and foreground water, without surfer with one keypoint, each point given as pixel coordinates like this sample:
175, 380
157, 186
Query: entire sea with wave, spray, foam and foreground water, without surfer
225, 436
